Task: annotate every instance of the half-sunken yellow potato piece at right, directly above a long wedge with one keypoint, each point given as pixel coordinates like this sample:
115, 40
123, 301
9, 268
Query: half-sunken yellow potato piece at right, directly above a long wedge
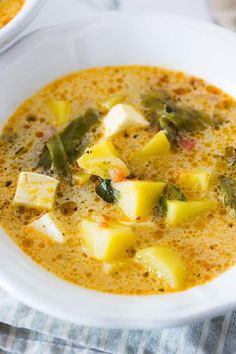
196, 179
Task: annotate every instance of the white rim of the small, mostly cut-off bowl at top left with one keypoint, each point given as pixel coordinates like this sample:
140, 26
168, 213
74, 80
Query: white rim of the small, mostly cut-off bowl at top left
9, 32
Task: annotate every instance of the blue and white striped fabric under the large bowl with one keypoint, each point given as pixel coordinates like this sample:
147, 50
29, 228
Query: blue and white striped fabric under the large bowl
24, 330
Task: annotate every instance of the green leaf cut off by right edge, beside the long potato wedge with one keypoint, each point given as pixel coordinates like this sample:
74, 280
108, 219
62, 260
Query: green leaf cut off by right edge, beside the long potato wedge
228, 191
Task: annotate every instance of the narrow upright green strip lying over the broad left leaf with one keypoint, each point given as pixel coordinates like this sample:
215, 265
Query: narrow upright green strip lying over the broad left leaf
59, 159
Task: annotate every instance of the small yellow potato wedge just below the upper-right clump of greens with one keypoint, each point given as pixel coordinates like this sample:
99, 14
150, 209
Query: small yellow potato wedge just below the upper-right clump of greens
157, 146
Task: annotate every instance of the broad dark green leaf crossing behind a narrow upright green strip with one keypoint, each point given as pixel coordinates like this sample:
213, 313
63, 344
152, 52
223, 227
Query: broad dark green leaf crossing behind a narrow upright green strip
71, 138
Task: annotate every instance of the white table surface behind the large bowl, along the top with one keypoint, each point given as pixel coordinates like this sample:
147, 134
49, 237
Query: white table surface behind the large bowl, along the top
65, 11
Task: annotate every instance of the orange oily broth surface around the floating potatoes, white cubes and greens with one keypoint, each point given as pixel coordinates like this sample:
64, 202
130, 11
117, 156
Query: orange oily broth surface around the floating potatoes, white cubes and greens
206, 243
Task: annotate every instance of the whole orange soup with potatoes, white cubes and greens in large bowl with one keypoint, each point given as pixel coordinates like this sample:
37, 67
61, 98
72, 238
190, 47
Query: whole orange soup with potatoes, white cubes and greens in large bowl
122, 179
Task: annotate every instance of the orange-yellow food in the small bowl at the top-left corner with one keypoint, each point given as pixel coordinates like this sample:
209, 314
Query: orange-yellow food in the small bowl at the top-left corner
8, 10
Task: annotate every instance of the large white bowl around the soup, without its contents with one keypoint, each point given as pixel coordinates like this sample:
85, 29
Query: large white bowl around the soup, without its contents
203, 50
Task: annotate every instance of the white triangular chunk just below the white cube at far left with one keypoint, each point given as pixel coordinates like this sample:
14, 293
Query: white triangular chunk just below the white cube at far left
47, 225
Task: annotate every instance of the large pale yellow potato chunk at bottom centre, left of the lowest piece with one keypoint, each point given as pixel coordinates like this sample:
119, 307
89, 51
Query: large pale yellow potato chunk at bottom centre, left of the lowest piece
106, 241
